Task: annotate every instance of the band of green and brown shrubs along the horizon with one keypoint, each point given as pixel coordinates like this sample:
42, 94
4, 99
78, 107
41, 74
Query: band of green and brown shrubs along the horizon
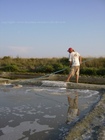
90, 66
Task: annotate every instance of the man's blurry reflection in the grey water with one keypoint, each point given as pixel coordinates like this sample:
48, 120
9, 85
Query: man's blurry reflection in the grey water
73, 110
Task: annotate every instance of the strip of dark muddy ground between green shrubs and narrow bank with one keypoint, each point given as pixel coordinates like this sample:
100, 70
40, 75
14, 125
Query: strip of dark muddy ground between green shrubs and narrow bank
56, 77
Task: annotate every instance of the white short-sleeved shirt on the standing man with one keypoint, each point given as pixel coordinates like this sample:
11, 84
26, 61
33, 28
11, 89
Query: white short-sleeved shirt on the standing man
74, 57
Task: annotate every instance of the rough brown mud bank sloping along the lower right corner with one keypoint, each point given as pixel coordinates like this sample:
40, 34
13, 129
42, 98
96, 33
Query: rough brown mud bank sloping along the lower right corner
92, 126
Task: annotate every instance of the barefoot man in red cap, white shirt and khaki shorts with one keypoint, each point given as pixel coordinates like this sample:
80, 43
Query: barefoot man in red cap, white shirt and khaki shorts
75, 61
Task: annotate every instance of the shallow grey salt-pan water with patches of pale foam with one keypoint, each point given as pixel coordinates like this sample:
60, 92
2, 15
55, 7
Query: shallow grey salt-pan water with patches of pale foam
39, 113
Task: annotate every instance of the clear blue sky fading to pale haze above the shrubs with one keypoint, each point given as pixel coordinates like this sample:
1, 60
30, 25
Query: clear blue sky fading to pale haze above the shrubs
47, 28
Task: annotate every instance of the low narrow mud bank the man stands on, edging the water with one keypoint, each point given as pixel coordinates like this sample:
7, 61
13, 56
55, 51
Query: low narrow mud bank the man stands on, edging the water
39, 82
